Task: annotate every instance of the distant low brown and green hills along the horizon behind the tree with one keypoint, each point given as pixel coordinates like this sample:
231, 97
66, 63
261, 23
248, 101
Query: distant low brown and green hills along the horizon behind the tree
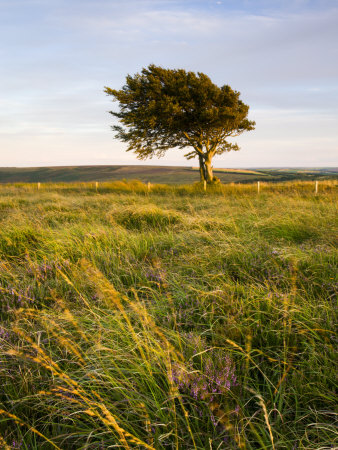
158, 174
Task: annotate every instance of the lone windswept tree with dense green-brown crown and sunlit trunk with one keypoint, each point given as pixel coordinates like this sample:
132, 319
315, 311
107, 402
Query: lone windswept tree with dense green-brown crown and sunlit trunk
162, 109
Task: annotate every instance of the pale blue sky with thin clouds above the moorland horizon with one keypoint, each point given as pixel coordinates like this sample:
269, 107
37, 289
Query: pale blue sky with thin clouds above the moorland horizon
56, 56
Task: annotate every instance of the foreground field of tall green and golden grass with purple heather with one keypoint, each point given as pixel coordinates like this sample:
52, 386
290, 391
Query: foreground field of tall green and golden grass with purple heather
169, 319
